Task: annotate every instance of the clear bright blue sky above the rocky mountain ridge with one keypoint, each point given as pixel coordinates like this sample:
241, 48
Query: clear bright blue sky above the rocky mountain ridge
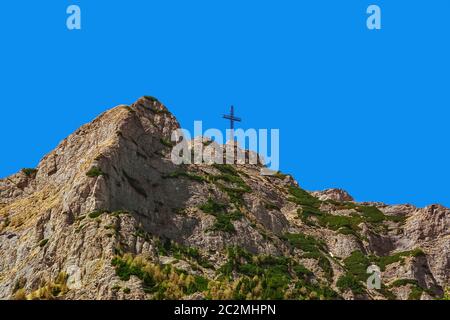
360, 110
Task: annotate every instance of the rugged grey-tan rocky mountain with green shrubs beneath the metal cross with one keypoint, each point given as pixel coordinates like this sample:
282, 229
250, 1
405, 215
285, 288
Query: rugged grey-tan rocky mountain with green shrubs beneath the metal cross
107, 215
